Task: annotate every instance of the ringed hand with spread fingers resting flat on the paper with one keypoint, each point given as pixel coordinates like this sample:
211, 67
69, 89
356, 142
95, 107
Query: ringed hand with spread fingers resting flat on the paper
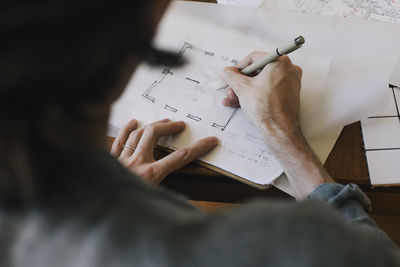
134, 147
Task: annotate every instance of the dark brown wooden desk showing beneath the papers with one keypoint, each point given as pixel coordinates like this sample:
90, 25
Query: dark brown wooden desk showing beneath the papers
346, 163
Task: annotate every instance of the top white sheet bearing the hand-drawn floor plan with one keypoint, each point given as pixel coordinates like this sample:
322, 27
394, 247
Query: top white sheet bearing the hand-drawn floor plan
192, 93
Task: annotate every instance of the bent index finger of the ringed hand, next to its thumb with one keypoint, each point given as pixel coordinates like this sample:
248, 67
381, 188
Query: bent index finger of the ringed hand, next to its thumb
153, 132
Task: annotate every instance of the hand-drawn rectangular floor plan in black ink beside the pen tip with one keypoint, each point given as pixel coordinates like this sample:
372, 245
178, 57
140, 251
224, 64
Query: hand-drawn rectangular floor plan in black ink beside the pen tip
199, 81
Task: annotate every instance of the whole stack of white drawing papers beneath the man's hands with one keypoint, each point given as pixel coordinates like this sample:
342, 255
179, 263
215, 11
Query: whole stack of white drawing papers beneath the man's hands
213, 36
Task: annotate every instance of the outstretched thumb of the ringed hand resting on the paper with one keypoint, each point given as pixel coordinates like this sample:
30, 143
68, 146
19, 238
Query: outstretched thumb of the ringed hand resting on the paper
184, 156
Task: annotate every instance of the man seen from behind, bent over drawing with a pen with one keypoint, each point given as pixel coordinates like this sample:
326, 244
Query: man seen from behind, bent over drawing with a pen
66, 202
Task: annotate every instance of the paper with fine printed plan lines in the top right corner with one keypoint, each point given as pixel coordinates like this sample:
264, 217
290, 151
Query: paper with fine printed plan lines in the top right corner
379, 10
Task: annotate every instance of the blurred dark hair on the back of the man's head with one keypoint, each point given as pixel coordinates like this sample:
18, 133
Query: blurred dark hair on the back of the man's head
60, 54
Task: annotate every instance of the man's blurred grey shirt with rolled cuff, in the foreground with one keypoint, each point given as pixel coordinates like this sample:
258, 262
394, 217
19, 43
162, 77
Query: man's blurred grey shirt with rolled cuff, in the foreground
100, 214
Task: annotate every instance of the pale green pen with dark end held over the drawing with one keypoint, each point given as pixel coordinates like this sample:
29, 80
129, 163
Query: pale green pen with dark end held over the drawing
280, 51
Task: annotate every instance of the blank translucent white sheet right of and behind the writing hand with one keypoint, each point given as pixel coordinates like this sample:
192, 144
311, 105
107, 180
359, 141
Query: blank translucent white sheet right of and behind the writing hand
357, 84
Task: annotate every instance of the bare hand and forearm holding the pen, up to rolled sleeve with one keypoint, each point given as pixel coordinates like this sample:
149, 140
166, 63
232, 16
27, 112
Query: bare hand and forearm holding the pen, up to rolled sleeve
271, 100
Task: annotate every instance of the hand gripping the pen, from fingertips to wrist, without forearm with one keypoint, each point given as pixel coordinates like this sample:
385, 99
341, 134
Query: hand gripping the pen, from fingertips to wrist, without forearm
271, 98
